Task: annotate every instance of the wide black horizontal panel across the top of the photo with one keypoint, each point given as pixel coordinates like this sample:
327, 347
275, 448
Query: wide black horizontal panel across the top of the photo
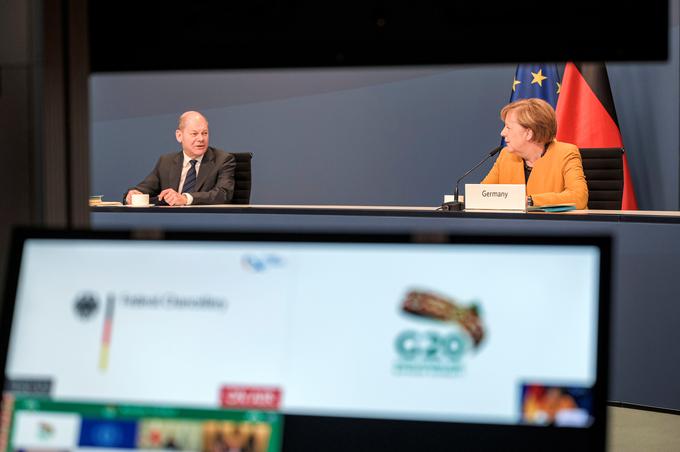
147, 36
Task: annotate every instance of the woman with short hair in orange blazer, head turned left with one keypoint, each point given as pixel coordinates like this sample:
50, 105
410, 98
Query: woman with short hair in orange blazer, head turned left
551, 170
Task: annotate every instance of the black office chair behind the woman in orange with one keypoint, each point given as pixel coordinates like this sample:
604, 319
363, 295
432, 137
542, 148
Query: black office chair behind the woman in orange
603, 168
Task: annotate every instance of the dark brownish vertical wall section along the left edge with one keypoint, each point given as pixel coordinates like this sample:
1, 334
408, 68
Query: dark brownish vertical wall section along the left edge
43, 116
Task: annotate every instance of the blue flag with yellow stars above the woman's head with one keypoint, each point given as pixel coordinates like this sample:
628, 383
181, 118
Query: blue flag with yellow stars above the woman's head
536, 80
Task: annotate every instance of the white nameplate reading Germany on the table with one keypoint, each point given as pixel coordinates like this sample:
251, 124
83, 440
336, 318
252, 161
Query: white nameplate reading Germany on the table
495, 197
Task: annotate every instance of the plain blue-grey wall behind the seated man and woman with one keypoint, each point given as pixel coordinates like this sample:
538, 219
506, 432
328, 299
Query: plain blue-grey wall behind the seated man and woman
366, 136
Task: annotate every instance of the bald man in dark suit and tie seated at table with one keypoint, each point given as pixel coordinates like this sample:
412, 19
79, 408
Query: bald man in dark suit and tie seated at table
199, 174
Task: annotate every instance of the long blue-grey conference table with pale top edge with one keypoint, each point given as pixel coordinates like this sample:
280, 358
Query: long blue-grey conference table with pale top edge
645, 356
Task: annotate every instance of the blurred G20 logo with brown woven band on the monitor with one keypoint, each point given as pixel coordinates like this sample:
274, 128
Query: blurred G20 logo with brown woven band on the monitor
452, 334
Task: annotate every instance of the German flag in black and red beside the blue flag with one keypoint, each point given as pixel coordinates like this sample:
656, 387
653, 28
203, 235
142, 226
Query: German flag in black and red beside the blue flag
587, 118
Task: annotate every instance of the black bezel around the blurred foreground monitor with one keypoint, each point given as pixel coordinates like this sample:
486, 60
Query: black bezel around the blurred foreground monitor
307, 433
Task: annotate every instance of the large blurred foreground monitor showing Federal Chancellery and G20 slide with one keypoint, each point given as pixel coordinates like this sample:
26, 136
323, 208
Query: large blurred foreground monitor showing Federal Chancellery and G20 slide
250, 344
